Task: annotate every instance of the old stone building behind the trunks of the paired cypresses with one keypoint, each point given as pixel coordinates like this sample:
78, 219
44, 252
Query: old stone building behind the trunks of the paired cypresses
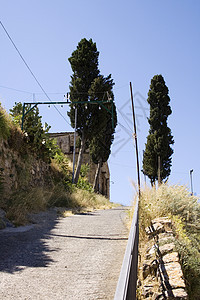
65, 141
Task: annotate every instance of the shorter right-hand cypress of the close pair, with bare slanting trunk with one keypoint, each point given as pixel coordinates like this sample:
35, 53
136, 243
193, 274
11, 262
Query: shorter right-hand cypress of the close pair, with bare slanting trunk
100, 144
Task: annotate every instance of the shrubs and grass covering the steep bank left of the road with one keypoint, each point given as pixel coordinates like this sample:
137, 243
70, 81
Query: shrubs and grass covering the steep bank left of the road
34, 143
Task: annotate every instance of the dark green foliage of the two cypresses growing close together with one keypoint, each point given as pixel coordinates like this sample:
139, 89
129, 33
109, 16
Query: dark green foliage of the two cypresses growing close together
88, 85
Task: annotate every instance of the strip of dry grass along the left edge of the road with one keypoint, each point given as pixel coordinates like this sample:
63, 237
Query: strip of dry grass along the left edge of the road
34, 200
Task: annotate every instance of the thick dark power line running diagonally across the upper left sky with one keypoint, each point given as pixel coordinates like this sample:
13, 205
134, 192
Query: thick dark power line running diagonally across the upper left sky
26, 64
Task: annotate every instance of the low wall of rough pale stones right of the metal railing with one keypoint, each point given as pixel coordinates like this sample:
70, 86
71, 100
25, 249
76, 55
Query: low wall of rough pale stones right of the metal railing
161, 270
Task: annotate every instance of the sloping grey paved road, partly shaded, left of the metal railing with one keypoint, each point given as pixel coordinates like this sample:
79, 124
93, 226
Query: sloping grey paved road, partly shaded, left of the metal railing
77, 257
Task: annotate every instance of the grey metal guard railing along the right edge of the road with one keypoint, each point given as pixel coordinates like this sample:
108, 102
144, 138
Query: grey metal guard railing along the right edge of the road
127, 283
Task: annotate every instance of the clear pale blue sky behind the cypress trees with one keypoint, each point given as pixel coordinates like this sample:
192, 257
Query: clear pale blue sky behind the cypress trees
136, 40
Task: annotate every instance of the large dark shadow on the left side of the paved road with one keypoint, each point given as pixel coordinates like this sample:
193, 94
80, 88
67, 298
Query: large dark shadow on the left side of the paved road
20, 249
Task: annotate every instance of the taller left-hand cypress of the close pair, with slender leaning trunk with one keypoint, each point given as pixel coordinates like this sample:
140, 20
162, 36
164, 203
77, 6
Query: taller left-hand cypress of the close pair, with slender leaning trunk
84, 64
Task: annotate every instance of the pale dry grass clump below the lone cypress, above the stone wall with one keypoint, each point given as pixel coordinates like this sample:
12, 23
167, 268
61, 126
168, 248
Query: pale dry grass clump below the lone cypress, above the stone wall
166, 201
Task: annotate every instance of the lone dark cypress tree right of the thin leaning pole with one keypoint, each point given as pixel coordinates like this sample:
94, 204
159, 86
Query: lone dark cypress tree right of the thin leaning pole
159, 141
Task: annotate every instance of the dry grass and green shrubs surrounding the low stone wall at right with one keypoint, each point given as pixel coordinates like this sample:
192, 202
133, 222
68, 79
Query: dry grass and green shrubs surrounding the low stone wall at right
184, 209
